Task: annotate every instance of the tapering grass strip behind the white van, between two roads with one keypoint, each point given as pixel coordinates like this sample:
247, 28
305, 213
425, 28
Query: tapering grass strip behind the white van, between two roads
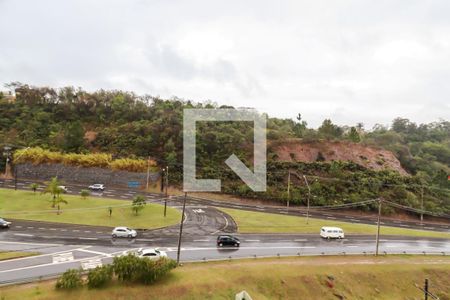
258, 222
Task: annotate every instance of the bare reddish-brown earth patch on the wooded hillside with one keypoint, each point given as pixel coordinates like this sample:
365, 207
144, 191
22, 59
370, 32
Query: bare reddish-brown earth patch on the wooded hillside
369, 157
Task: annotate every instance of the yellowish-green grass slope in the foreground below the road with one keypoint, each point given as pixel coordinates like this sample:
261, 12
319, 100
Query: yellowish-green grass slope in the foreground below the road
390, 278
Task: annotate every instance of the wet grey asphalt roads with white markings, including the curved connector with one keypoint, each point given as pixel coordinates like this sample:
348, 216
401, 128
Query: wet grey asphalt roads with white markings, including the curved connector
81, 245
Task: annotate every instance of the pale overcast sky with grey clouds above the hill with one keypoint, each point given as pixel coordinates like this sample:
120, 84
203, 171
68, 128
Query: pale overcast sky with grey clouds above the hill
351, 61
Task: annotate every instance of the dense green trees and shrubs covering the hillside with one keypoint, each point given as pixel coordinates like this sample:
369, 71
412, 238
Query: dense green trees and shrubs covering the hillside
130, 126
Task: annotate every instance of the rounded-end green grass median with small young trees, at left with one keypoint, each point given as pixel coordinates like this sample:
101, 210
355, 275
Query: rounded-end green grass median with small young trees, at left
90, 211
